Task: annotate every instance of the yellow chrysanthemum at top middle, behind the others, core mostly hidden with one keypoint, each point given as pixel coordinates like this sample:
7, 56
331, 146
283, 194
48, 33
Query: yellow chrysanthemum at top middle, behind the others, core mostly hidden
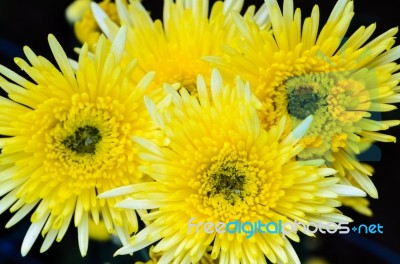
174, 47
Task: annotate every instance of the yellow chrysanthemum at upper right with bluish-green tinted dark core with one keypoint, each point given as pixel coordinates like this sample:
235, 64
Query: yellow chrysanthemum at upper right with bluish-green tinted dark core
294, 70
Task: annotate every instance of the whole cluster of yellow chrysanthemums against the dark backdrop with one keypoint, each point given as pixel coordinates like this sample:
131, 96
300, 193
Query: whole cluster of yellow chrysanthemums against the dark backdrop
218, 134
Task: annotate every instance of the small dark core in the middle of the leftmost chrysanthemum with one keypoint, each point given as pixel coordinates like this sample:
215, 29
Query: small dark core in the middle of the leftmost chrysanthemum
84, 140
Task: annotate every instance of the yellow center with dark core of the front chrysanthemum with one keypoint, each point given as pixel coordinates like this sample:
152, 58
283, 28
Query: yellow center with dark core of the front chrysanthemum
235, 185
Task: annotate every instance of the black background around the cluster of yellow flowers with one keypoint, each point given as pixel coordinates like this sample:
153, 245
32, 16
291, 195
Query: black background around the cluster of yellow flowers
24, 22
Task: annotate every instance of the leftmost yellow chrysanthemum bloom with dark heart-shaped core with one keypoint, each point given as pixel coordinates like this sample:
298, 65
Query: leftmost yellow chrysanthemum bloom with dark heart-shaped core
68, 139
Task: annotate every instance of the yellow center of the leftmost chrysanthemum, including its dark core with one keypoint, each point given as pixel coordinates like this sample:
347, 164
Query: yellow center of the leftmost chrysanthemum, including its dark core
86, 144
